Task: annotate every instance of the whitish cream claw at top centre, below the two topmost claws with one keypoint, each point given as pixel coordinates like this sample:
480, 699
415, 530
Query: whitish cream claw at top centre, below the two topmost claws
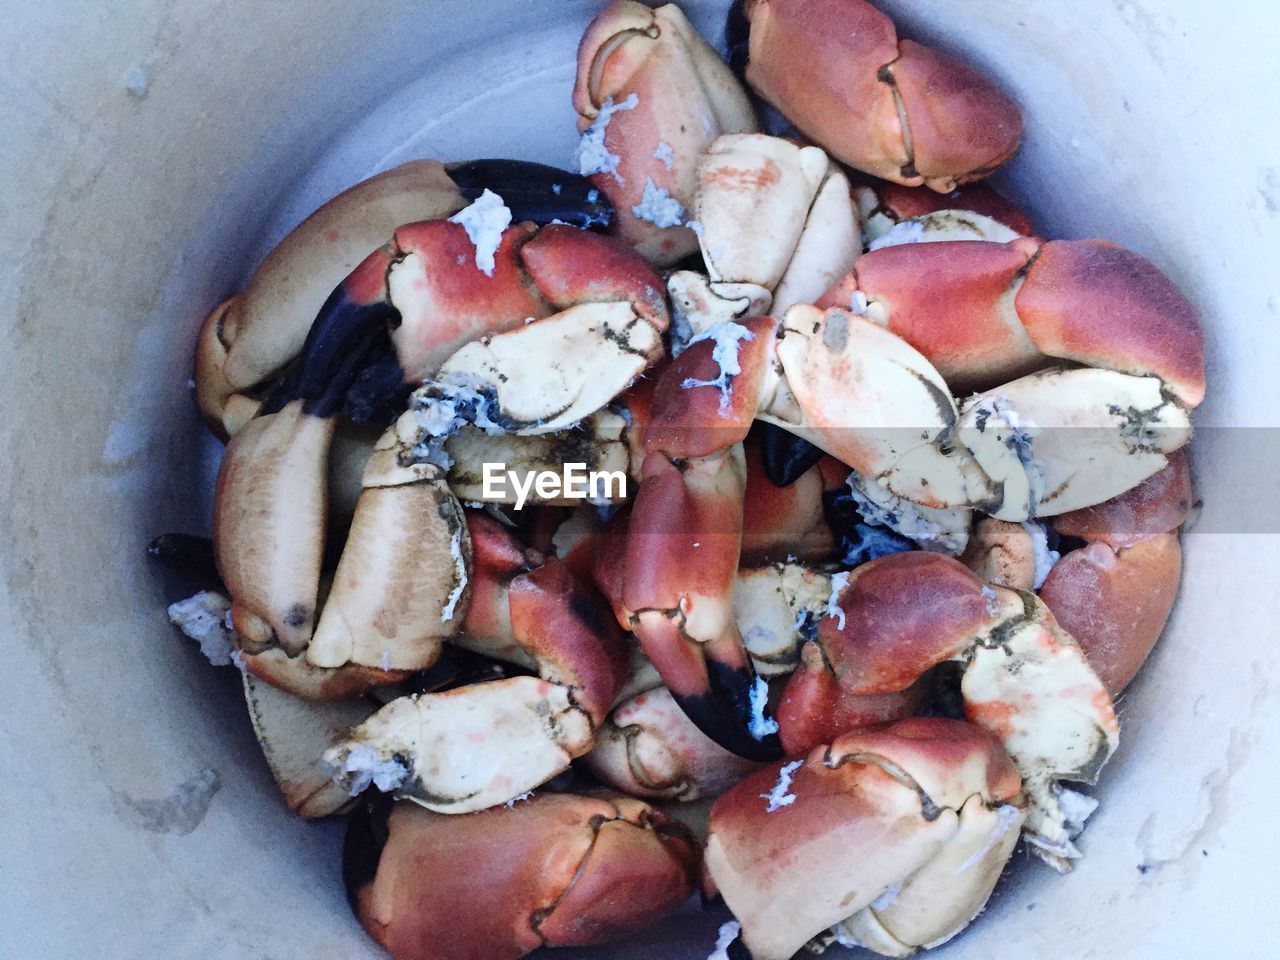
776, 227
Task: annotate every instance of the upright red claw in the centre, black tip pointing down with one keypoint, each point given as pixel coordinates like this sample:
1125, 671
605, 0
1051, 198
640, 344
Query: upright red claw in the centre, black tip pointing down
684, 541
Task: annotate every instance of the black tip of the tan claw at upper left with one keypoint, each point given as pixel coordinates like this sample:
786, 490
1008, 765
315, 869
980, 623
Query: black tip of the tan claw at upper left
537, 193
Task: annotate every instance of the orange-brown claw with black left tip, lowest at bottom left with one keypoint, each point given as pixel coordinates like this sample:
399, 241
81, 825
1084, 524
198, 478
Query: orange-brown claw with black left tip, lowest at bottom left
552, 871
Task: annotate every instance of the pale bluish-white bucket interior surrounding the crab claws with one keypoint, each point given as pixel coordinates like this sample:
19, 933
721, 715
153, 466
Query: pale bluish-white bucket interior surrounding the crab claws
152, 154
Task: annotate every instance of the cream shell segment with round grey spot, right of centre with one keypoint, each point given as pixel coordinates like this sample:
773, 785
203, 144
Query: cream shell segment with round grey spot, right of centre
874, 403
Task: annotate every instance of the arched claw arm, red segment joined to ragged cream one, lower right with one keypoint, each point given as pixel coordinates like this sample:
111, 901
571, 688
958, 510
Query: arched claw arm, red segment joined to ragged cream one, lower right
1025, 679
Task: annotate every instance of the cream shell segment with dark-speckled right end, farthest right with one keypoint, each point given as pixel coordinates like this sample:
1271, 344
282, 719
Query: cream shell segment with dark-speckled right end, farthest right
1058, 441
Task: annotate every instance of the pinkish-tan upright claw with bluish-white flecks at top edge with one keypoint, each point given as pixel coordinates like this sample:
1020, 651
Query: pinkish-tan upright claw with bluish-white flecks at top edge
651, 97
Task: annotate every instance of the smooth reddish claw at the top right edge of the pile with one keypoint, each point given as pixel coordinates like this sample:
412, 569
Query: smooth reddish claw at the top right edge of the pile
892, 108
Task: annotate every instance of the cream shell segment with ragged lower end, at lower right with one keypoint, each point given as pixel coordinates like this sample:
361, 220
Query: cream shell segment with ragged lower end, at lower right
1030, 684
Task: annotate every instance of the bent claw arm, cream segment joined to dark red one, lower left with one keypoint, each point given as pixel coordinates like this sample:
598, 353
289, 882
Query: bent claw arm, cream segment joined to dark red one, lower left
476, 747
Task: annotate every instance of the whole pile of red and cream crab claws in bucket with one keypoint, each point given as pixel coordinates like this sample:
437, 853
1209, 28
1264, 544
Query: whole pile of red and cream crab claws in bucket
906, 490
